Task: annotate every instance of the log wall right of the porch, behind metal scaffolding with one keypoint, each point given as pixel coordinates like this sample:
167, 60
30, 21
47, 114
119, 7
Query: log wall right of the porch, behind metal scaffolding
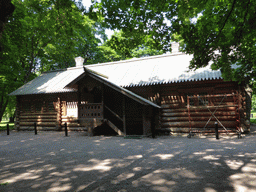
189, 106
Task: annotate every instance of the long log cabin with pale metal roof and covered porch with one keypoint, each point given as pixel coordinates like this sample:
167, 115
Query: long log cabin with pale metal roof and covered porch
139, 96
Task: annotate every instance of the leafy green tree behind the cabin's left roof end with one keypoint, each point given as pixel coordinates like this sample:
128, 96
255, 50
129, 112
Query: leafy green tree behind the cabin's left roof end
40, 35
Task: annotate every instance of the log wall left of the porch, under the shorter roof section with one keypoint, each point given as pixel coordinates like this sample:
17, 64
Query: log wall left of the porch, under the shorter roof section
47, 111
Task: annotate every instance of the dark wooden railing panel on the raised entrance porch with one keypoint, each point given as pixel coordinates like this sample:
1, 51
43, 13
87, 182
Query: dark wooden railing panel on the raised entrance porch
91, 110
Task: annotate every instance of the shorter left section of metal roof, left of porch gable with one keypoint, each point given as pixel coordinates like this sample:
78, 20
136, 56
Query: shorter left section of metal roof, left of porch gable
50, 82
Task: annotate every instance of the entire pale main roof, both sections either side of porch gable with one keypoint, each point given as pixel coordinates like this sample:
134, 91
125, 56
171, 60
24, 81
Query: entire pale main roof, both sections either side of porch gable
168, 68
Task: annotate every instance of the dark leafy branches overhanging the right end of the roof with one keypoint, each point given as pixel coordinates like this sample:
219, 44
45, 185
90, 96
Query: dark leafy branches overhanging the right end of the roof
218, 31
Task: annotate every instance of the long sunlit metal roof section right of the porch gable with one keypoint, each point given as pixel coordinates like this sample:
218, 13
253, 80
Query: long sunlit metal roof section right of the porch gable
168, 68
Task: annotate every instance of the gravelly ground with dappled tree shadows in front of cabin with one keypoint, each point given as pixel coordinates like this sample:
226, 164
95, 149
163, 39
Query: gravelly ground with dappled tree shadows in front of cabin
51, 162
